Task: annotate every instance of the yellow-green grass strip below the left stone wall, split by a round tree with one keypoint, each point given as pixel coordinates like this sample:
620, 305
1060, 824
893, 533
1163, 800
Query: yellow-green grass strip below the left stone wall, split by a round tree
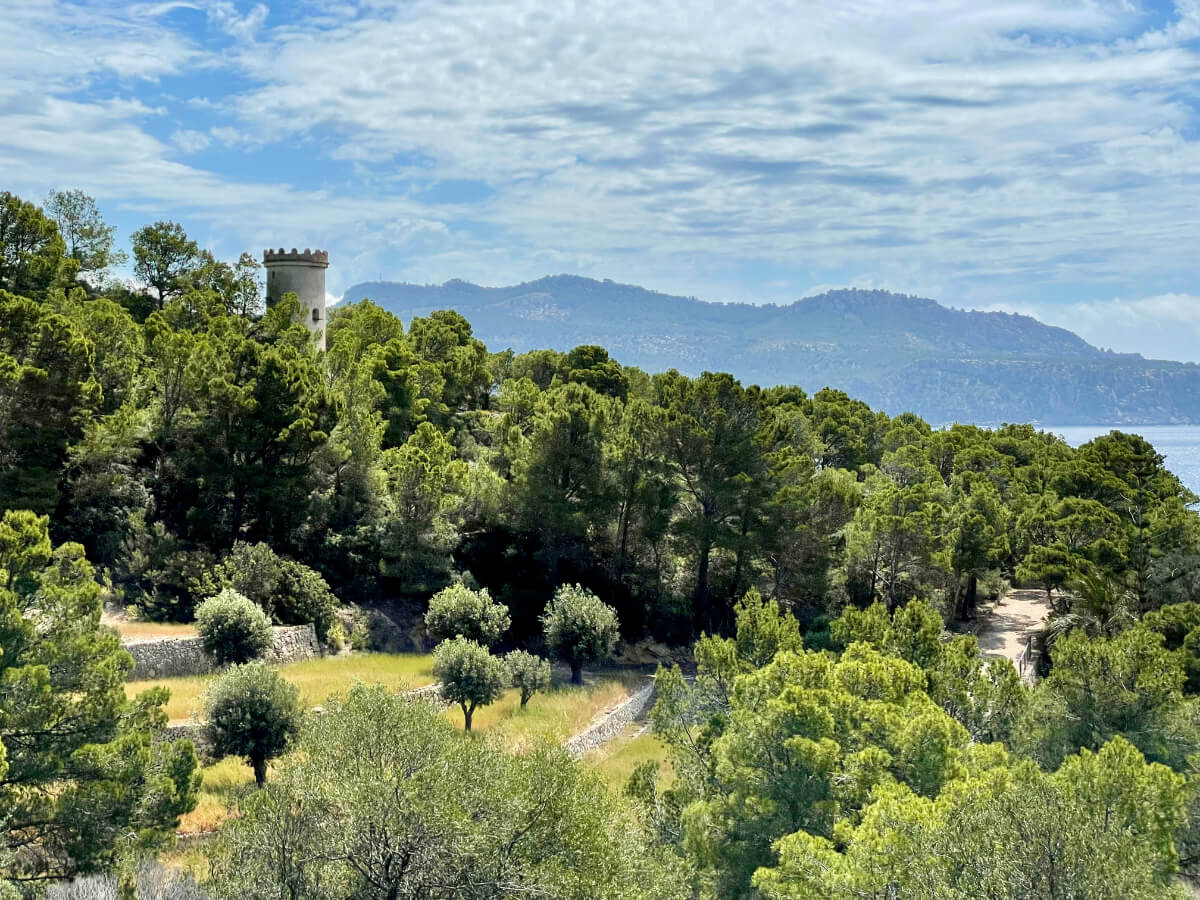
316, 679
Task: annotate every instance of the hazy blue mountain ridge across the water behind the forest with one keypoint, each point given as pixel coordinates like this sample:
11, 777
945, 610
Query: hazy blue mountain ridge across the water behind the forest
893, 351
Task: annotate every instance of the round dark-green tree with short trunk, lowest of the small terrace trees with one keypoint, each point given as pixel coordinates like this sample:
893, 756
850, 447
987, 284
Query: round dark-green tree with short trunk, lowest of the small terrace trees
254, 713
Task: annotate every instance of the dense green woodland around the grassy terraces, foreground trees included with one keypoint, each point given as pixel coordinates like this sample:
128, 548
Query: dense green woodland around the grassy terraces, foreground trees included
163, 440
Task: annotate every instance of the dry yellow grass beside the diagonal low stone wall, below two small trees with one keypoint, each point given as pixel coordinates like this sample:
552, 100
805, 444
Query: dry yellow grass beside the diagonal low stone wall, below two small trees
554, 717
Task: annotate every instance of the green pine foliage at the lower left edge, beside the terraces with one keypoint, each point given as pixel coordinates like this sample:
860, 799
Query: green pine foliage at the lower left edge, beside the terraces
83, 781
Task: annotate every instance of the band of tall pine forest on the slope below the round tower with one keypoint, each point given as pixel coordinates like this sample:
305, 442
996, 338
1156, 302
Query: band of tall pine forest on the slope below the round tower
163, 427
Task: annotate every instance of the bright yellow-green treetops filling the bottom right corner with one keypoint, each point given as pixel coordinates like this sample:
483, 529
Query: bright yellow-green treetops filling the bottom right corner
1100, 827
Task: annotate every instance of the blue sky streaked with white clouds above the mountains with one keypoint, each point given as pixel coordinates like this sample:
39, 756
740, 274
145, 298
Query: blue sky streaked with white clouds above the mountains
1033, 155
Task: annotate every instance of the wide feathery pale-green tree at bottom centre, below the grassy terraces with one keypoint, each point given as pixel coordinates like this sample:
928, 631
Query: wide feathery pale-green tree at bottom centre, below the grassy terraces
501, 826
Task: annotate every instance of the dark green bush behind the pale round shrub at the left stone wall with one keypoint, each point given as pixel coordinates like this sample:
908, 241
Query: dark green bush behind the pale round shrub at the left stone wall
290, 592
